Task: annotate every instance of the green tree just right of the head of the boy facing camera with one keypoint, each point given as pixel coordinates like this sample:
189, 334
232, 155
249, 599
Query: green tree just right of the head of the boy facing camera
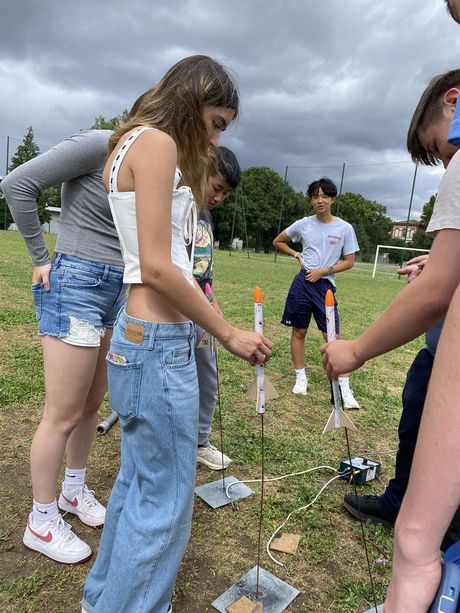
369, 220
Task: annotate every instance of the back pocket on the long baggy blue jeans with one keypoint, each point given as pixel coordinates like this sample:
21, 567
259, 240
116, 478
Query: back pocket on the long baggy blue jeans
124, 388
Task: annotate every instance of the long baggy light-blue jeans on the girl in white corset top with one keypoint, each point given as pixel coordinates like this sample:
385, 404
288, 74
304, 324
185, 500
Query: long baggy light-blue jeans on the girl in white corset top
153, 387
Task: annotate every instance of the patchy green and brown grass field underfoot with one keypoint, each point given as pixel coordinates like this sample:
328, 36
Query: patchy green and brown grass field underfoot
329, 567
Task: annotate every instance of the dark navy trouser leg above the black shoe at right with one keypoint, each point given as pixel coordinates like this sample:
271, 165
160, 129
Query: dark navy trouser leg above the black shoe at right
413, 399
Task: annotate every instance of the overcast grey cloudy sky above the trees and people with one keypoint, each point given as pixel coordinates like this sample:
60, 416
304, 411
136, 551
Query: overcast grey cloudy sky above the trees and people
322, 82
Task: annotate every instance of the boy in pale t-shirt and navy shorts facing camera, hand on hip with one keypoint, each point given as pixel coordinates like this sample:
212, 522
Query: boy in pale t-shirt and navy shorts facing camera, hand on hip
328, 246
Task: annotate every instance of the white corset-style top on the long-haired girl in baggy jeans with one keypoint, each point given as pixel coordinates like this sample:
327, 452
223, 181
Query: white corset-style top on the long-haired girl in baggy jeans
183, 220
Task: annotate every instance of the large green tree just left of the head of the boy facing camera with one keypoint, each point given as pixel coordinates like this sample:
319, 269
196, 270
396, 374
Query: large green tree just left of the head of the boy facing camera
260, 195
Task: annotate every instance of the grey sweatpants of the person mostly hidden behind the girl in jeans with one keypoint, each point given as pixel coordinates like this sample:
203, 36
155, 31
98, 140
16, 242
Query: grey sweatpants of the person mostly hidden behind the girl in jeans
207, 383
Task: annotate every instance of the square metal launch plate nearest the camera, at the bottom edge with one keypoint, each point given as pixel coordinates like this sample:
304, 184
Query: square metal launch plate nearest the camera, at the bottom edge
276, 595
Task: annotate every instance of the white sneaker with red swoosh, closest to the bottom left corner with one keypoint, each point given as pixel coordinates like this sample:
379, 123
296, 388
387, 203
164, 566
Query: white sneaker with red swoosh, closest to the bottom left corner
56, 540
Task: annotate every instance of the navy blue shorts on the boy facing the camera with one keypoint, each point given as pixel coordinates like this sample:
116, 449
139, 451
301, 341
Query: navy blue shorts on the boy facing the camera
306, 299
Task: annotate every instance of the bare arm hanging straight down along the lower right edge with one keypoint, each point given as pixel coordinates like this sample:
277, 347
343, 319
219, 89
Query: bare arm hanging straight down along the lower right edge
433, 493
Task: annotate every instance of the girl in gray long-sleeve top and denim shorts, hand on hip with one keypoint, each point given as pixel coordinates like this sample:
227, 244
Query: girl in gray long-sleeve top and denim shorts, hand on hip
77, 295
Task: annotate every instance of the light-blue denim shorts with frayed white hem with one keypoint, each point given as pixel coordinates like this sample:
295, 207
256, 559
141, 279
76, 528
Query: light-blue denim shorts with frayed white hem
84, 299
